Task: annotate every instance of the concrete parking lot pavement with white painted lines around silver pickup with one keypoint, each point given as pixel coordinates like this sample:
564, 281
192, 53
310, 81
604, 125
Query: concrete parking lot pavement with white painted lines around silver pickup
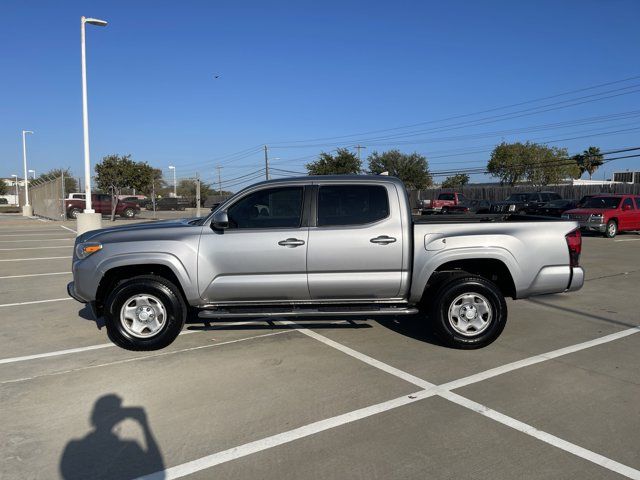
556, 396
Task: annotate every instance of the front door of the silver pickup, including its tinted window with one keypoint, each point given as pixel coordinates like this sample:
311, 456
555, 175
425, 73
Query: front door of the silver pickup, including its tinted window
262, 256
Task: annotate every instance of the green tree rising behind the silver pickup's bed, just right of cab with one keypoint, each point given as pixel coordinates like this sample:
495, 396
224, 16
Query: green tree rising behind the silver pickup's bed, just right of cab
412, 169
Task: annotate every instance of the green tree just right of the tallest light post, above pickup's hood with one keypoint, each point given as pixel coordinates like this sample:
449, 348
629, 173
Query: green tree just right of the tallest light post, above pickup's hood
117, 172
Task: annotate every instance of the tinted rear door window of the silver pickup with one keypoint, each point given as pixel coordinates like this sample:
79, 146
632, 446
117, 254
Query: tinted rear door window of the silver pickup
351, 204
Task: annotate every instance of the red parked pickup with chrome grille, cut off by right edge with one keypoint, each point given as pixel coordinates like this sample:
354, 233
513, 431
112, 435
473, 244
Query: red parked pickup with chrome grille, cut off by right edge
608, 214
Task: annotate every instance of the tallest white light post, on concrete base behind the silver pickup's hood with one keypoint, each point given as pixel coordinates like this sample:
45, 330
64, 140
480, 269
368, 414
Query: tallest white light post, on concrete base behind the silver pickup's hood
90, 220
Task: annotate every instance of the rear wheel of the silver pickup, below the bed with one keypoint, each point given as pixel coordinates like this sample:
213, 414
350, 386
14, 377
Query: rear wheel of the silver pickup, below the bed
482, 290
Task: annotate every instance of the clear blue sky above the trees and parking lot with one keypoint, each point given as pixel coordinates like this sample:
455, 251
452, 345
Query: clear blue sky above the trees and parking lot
294, 72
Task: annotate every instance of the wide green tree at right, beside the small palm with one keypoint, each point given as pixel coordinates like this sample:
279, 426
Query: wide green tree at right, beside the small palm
532, 163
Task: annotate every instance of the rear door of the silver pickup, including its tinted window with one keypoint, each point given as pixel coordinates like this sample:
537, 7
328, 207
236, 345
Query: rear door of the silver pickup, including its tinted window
355, 242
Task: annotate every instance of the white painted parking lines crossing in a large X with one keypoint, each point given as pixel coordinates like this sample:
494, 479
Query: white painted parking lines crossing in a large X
224, 456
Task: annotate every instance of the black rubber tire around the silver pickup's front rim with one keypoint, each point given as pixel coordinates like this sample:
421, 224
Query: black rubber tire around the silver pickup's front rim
162, 289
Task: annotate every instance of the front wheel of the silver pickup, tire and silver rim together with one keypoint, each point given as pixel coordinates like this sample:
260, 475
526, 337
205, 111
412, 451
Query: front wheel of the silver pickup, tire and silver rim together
144, 313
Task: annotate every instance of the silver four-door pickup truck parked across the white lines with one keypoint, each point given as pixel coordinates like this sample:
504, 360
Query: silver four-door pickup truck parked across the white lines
330, 246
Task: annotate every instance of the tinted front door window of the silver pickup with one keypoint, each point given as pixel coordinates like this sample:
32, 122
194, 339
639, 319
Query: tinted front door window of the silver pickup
268, 208
